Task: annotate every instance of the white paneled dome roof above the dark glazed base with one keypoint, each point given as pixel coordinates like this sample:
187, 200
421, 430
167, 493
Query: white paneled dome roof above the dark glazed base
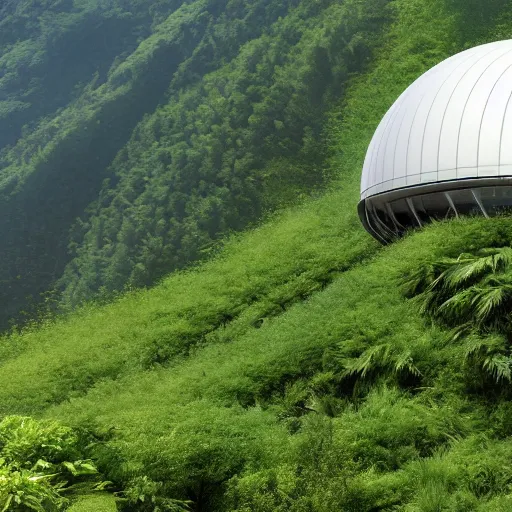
454, 122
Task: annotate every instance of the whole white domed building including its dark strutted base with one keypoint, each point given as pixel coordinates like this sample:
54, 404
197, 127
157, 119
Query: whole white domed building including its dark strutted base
444, 148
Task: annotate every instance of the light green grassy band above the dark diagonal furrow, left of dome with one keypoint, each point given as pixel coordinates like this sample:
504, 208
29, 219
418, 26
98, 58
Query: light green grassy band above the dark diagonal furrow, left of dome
255, 278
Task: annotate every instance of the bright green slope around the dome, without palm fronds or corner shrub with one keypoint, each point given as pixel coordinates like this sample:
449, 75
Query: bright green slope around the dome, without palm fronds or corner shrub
249, 343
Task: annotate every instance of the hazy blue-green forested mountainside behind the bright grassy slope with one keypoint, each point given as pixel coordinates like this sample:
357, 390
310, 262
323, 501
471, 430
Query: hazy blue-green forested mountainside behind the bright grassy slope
135, 133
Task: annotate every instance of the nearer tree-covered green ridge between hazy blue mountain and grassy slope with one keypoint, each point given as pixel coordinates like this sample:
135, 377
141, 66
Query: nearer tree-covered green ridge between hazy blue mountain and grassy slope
239, 141
